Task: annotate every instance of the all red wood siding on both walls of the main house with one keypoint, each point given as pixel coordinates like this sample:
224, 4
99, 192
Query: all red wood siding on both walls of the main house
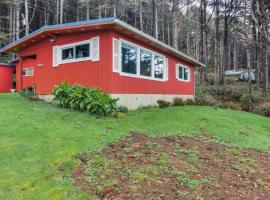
95, 74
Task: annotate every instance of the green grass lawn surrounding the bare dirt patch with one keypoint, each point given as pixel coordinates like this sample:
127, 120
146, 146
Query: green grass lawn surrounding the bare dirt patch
36, 138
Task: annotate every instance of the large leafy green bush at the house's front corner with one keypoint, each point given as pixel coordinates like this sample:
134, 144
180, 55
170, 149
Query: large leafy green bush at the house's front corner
81, 98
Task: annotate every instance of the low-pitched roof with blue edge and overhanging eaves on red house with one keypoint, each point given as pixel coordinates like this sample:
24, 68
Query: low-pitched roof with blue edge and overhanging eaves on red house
91, 25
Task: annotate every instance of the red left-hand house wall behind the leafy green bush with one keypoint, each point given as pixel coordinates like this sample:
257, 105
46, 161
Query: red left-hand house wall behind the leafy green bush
89, 73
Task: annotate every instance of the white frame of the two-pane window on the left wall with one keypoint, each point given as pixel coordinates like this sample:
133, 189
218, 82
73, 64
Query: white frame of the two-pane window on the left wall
73, 45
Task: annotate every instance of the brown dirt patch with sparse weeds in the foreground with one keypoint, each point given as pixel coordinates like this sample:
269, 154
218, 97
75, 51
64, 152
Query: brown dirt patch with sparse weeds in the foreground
142, 167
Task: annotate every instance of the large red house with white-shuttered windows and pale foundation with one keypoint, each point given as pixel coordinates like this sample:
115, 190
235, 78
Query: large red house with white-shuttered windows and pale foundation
105, 53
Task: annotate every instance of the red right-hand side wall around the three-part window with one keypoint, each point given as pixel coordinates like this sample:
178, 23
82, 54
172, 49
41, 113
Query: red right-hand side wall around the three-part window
131, 85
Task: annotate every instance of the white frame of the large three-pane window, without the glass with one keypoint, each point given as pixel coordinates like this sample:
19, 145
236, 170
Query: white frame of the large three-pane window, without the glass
138, 68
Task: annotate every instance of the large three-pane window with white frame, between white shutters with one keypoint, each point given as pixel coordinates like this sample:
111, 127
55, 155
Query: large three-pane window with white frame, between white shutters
139, 62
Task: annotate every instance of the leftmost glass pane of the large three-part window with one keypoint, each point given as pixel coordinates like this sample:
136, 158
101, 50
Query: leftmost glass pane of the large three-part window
129, 59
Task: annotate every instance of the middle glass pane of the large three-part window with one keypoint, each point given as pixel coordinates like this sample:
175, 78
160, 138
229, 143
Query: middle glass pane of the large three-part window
145, 63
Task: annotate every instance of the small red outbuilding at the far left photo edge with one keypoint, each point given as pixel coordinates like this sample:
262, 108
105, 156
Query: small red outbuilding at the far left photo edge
6, 77
